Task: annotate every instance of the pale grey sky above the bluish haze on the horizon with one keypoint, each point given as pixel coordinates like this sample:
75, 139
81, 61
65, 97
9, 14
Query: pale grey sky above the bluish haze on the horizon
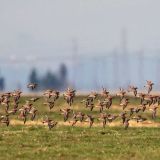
35, 27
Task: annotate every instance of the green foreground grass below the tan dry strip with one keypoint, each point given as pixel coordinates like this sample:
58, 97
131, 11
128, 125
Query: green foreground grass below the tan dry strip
66, 142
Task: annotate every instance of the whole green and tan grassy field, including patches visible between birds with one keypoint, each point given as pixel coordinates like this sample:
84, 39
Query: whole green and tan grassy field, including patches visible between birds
35, 141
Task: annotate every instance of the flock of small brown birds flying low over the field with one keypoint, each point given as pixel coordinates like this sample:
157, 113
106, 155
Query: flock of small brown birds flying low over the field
28, 111
